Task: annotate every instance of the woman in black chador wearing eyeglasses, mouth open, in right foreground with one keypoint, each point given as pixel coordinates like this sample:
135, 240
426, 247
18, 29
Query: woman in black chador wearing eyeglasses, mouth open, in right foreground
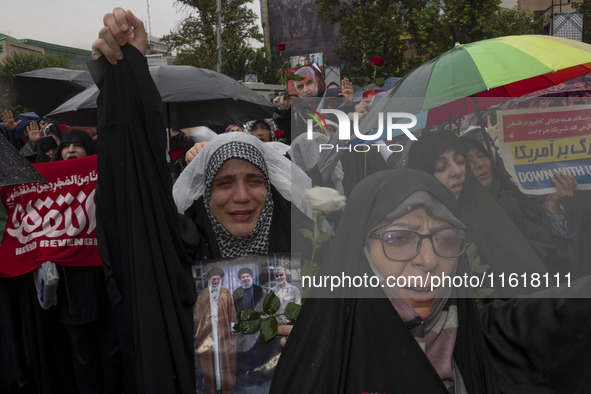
414, 338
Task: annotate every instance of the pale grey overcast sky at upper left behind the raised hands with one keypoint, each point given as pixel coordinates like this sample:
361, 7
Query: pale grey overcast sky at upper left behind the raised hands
76, 23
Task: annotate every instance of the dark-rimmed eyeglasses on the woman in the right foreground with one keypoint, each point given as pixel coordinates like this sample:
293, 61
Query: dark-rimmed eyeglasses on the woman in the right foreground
404, 245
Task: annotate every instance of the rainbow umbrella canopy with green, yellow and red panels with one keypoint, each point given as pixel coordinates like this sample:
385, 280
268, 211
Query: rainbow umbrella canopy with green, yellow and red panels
487, 72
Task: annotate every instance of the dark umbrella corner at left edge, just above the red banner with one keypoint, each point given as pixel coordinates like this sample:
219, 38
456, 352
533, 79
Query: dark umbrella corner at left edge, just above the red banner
15, 169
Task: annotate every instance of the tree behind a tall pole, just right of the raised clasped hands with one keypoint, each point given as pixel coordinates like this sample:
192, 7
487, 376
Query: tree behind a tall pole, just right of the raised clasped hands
194, 40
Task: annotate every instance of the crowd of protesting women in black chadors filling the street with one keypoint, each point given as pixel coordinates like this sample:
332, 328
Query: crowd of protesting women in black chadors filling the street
136, 324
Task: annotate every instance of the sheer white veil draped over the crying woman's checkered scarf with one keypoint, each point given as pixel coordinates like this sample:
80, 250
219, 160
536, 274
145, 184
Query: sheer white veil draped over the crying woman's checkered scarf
289, 180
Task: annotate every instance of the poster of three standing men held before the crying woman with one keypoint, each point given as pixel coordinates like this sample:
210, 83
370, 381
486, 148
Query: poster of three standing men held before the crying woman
227, 360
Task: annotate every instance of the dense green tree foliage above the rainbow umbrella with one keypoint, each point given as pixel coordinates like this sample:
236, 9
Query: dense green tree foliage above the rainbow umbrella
406, 33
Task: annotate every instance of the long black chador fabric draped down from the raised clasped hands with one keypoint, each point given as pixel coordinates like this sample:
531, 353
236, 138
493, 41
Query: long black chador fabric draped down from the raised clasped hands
148, 273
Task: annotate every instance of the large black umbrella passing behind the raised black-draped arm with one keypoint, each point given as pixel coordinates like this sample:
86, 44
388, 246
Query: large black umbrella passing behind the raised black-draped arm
192, 97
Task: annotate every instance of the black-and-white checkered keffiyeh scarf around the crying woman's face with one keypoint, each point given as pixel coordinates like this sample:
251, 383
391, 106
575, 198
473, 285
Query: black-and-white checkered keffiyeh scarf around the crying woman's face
257, 242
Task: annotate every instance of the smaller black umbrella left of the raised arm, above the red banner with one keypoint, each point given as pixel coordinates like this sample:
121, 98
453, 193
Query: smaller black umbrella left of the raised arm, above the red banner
43, 90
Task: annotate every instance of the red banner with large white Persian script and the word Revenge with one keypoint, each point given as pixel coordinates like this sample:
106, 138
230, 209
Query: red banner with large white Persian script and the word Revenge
53, 222
